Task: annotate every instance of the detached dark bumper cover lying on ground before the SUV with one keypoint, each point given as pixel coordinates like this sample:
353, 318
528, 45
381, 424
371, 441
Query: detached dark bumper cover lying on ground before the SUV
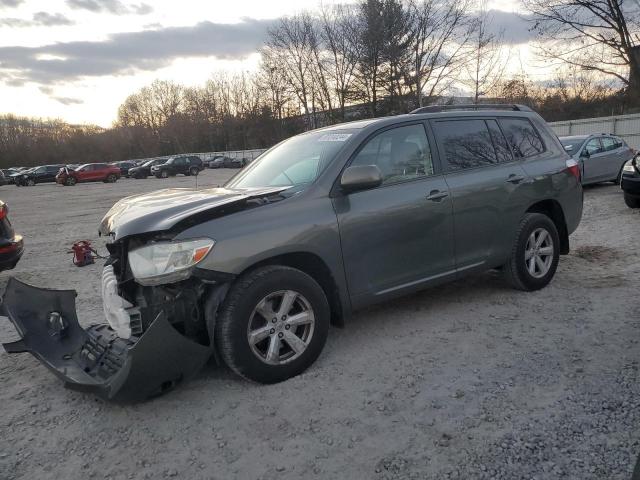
96, 360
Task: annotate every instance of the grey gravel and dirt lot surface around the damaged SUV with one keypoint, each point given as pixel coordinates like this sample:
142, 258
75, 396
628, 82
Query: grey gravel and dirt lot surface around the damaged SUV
469, 380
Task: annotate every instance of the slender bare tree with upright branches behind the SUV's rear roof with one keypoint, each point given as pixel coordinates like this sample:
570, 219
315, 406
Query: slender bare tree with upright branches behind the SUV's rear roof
487, 54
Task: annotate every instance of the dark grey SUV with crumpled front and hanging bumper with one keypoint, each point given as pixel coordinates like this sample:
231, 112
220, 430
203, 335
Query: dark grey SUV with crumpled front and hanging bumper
322, 224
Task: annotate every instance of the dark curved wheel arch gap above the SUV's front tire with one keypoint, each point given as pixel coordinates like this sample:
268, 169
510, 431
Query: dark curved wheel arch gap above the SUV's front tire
316, 268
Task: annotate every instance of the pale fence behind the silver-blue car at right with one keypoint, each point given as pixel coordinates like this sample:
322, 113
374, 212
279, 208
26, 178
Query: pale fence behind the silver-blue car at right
624, 126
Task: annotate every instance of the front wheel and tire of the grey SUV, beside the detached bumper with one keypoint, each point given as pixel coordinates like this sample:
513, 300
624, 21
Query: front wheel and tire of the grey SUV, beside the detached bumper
273, 324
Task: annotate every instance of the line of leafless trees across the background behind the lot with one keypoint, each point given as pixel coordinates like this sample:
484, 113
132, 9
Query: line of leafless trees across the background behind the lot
347, 62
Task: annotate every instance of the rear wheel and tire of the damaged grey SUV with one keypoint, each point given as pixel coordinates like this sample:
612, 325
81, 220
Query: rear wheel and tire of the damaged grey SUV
535, 253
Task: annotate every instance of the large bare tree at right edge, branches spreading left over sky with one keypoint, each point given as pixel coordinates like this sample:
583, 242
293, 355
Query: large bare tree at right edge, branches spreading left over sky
598, 35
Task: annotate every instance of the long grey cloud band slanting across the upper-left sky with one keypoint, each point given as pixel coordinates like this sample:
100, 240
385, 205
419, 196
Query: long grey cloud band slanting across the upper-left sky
126, 53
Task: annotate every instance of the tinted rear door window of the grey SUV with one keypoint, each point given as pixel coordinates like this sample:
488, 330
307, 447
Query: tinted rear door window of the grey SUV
466, 143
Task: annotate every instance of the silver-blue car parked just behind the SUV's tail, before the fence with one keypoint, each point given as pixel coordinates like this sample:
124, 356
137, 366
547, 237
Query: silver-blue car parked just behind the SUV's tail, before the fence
600, 156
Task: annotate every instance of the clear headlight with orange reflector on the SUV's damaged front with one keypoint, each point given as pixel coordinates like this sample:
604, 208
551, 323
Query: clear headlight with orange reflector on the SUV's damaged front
167, 262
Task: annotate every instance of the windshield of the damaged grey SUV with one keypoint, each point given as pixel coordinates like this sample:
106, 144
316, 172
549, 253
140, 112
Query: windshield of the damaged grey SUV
296, 161
